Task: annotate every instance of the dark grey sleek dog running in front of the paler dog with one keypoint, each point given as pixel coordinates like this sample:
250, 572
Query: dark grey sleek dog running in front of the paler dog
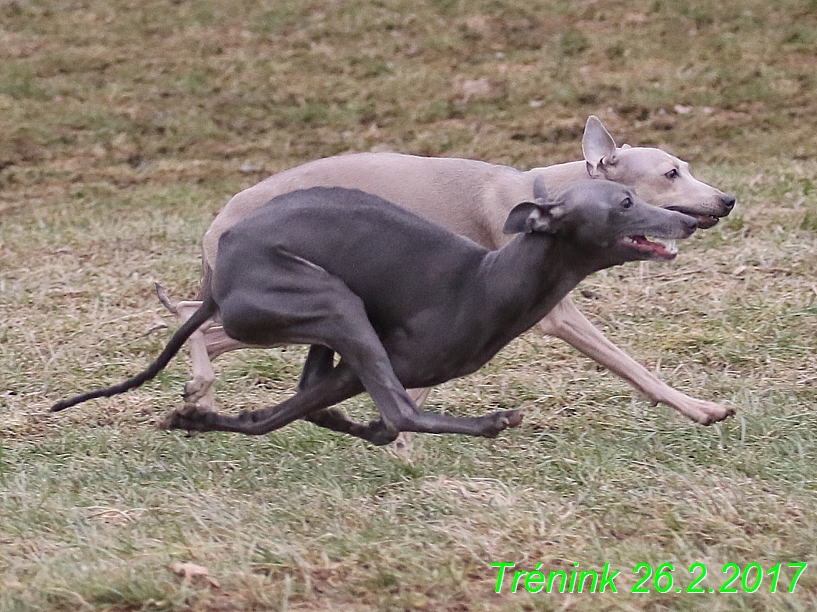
404, 302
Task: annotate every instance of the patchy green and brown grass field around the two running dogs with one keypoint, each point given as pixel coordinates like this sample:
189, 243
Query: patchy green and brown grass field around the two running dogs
125, 126
